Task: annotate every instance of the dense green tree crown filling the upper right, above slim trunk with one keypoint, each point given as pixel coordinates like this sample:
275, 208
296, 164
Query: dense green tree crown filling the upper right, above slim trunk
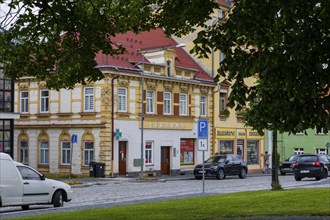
285, 46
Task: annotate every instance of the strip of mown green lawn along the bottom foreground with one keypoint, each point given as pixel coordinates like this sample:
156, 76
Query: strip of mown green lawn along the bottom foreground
255, 204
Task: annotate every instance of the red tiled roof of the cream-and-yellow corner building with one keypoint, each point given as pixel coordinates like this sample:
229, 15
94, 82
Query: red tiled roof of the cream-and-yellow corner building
144, 41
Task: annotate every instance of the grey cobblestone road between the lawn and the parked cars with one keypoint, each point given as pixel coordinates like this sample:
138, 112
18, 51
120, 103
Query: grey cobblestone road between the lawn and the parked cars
98, 193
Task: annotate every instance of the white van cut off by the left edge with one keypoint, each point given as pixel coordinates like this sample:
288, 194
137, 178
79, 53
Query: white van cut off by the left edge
21, 185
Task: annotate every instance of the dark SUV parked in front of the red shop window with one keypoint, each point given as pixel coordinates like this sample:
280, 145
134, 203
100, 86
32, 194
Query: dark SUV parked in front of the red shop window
220, 166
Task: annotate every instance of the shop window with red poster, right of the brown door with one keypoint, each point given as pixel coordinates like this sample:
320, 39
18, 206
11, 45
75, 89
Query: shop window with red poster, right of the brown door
187, 151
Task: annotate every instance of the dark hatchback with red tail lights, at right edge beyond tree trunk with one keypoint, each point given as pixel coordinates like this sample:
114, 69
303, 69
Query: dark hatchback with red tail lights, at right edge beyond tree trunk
311, 165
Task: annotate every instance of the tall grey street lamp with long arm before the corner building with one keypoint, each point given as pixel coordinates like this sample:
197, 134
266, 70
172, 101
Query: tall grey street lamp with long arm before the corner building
143, 52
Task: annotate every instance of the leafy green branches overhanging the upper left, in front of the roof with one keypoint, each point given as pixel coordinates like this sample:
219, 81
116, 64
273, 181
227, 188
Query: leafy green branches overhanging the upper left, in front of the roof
57, 40
